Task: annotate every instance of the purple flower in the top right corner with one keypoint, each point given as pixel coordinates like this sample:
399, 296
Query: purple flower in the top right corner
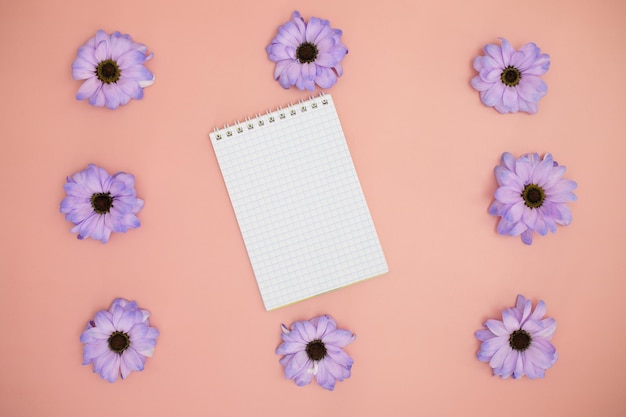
508, 79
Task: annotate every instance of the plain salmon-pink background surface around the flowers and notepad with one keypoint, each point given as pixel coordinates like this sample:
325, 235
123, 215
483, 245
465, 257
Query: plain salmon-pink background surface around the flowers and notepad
424, 147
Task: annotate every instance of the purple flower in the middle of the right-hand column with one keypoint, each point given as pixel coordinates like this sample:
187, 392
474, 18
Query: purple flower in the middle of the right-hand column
531, 196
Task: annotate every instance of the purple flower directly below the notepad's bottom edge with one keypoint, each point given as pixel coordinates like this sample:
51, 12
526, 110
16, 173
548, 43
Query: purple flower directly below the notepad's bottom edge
313, 348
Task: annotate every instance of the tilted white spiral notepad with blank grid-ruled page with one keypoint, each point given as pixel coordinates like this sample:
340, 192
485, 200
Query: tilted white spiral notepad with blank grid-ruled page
298, 202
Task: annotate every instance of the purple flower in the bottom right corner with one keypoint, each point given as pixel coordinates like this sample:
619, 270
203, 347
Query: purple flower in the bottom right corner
519, 344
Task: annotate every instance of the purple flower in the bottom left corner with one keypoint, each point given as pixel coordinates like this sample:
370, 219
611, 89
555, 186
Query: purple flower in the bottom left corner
118, 340
